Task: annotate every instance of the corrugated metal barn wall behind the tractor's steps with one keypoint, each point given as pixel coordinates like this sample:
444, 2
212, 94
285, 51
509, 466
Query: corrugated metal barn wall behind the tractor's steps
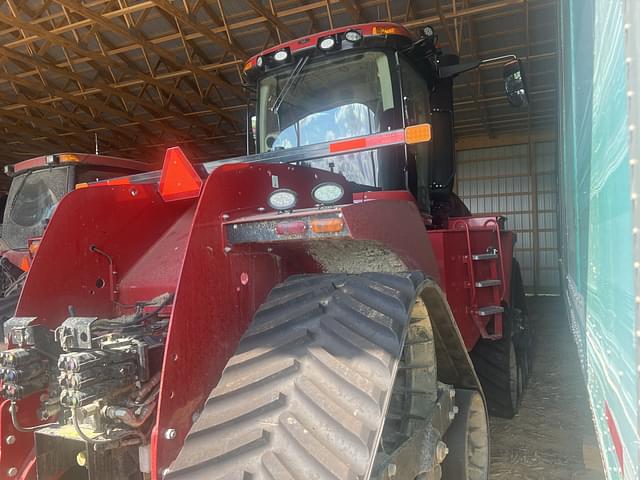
502, 180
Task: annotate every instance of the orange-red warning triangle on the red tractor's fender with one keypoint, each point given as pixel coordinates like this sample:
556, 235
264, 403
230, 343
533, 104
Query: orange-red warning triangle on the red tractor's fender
179, 180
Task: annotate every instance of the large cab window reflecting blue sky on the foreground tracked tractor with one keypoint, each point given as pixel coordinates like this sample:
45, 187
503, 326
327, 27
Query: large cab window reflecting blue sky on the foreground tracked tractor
329, 99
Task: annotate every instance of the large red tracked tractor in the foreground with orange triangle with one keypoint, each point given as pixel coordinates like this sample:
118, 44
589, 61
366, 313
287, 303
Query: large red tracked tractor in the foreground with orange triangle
309, 311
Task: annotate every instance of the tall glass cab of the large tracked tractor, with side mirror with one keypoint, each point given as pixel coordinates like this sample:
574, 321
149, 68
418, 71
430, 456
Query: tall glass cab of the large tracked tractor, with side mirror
358, 81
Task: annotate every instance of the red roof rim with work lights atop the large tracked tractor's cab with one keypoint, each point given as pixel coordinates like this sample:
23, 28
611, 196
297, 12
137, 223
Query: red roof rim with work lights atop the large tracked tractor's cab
365, 31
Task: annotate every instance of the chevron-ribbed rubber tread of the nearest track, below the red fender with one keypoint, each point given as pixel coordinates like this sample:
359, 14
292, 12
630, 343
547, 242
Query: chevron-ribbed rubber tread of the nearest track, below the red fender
305, 395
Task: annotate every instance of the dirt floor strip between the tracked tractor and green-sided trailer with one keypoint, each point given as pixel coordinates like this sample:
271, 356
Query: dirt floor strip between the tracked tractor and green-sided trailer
552, 438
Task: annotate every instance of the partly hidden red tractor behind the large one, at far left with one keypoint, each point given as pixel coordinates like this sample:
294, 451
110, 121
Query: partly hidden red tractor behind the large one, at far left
37, 186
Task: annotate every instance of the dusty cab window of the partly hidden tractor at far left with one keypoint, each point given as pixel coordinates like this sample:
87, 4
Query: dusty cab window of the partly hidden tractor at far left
32, 198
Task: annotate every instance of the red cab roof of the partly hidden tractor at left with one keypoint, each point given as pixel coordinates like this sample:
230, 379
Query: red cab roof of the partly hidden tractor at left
78, 158
